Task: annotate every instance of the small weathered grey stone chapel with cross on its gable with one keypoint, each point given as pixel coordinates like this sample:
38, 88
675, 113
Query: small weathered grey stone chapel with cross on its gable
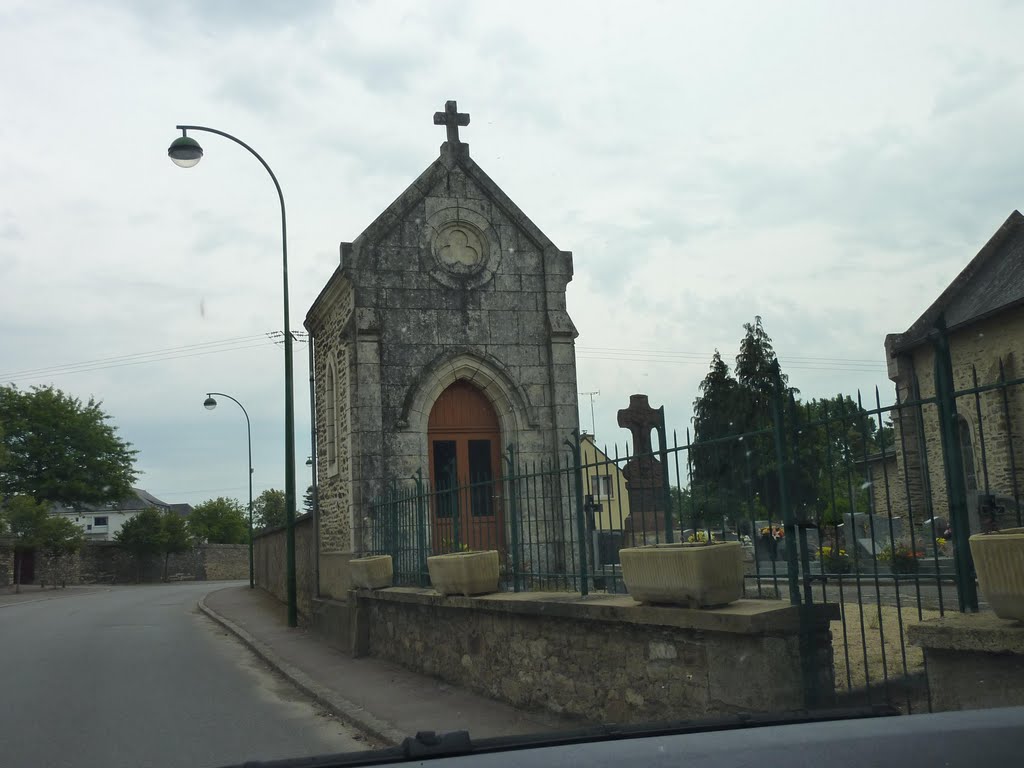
443, 336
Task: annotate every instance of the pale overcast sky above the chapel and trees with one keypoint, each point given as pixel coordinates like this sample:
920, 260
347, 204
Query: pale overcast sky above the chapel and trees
829, 166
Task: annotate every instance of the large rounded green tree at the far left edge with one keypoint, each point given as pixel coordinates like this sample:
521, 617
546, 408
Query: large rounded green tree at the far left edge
60, 450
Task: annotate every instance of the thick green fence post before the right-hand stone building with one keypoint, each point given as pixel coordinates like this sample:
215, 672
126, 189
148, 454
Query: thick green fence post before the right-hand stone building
953, 460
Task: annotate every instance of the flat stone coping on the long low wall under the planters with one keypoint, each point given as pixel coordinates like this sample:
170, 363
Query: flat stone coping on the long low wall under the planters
742, 618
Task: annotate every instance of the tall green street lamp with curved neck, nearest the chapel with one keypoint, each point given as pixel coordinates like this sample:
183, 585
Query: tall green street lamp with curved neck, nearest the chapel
186, 152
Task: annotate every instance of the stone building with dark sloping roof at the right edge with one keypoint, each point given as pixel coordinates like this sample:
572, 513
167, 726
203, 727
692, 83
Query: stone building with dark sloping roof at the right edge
984, 314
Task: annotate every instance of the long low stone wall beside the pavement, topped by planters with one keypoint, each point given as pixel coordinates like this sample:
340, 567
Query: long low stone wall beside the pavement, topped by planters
601, 659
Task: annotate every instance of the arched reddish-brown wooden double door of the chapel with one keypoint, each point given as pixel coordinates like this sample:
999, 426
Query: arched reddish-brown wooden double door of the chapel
464, 442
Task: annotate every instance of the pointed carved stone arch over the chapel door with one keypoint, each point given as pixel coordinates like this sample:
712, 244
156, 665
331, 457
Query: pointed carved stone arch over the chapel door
516, 413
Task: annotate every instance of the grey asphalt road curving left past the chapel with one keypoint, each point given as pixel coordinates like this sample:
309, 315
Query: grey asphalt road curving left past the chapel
137, 676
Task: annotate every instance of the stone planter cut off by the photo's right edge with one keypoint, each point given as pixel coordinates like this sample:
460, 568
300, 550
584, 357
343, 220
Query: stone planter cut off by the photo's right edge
999, 561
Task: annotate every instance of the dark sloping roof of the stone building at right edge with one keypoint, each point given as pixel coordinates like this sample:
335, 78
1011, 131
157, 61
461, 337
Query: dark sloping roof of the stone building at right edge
993, 282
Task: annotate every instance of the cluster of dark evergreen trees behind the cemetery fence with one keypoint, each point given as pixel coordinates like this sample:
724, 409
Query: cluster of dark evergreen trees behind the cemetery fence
735, 460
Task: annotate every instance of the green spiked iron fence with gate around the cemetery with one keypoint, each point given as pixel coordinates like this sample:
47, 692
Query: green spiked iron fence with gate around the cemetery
866, 505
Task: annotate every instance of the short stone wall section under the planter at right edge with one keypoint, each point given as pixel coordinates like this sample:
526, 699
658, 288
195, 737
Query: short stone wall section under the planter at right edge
974, 661
